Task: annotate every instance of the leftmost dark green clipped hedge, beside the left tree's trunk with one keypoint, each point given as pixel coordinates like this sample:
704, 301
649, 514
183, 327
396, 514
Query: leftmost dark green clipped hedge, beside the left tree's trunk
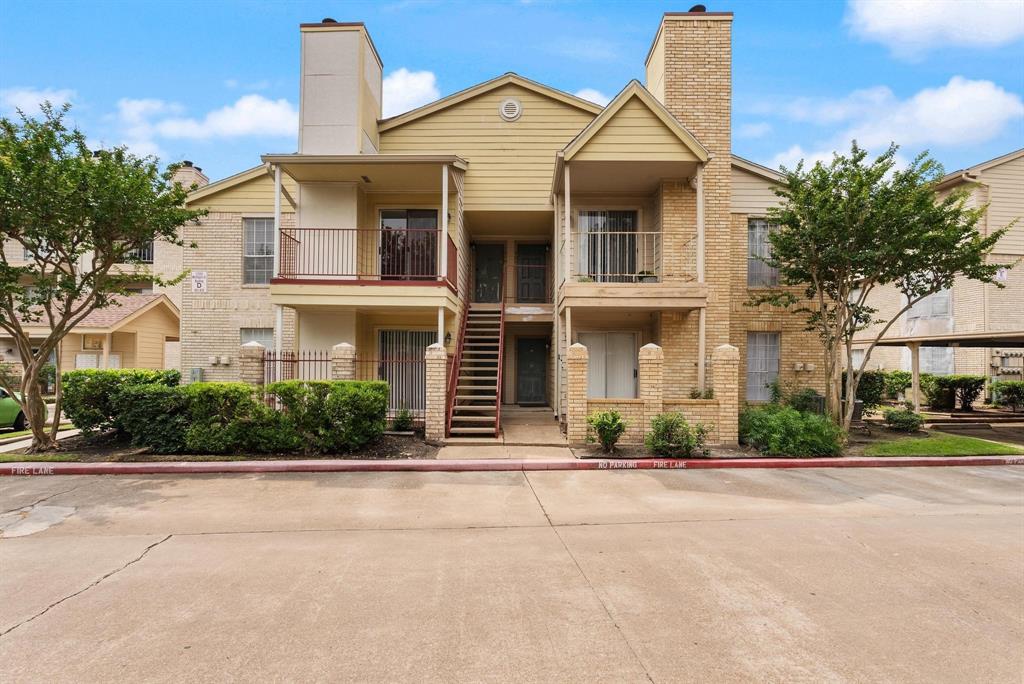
89, 396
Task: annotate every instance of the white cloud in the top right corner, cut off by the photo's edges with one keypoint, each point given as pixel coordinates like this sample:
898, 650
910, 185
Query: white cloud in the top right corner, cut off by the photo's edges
910, 28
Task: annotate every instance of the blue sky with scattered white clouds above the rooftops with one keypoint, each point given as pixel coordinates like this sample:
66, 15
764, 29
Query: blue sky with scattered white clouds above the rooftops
218, 82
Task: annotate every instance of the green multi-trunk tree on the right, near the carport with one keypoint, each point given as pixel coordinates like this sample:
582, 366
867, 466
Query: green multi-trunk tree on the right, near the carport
854, 226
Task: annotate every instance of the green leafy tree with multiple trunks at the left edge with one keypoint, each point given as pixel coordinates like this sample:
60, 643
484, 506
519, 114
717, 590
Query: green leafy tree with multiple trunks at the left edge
74, 216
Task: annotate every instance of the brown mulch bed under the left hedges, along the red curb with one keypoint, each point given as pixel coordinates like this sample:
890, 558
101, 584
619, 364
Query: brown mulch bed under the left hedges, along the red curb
107, 448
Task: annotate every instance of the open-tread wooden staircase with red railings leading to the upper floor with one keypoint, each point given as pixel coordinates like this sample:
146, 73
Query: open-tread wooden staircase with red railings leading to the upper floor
476, 388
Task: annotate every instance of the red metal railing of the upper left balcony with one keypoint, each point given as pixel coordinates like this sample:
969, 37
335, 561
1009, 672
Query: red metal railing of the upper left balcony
365, 254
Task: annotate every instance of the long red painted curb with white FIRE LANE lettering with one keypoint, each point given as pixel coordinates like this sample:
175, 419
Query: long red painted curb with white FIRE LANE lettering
482, 465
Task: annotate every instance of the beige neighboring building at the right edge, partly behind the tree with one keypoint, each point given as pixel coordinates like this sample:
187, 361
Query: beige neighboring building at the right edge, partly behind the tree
971, 328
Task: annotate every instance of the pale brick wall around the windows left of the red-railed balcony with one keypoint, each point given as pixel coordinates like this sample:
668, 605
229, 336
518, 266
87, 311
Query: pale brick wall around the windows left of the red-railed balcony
211, 321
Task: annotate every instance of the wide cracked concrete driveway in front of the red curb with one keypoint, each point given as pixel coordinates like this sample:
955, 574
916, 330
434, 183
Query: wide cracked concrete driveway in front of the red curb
912, 575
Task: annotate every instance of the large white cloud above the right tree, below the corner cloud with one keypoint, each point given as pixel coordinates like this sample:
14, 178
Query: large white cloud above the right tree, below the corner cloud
961, 113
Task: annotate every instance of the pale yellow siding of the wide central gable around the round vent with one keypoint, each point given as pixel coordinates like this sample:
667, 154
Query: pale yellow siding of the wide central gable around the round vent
510, 163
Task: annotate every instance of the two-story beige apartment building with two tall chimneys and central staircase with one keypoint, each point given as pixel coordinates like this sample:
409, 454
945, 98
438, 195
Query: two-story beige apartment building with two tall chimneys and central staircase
507, 223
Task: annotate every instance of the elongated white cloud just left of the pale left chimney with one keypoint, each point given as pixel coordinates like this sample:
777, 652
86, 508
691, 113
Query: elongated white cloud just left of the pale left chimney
251, 115
